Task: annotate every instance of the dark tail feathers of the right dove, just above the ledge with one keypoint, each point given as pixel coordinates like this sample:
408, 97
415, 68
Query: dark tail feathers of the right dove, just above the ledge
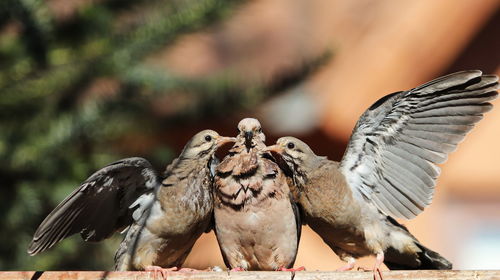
428, 260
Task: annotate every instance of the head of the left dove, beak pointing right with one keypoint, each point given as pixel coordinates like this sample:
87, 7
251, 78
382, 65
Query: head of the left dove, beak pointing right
204, 144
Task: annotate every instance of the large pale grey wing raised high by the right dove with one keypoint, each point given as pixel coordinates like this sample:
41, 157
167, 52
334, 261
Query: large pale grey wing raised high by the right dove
393, 151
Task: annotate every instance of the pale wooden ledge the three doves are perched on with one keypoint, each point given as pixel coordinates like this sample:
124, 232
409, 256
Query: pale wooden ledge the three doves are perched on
261, 275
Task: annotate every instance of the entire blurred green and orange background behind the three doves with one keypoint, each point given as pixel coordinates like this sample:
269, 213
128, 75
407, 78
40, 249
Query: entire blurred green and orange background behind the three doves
86, 82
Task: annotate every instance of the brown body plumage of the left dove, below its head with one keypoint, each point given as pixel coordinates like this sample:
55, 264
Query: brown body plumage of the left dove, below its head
180, 213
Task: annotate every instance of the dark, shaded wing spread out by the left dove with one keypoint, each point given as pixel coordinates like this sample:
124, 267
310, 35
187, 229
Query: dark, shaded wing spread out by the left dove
103, 204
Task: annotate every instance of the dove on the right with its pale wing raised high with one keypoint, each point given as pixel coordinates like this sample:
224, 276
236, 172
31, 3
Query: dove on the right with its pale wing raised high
388, 171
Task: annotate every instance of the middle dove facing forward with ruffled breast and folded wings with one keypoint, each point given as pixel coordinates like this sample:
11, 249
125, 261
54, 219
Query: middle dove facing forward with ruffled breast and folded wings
256, 223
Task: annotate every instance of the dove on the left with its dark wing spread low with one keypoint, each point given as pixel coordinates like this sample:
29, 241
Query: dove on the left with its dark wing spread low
163, 215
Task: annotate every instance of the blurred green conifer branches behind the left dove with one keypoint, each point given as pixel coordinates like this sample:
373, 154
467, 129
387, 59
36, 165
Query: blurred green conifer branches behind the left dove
73, 87
